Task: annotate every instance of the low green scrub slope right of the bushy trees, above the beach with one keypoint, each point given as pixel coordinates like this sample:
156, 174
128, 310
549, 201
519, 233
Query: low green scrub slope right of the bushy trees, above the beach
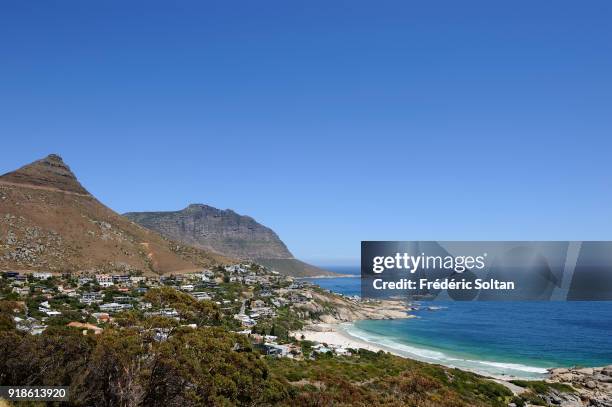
381, 379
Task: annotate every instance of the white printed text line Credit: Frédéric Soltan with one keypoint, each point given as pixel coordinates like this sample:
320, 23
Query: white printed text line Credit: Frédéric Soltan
443, 284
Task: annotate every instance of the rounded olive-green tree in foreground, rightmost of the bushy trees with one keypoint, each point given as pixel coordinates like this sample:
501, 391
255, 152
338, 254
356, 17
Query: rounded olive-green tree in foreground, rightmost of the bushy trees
206, 367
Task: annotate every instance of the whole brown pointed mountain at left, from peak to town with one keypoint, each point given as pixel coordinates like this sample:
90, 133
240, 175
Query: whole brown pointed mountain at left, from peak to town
50, 222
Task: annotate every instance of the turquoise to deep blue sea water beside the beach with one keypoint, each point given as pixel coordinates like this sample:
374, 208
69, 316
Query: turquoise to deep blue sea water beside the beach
520, 339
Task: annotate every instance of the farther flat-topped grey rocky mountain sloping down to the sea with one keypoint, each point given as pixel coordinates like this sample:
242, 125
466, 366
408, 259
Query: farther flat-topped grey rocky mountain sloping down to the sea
227, 233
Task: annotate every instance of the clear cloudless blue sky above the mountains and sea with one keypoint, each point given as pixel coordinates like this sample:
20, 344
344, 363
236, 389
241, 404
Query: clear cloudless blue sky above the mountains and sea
329, 121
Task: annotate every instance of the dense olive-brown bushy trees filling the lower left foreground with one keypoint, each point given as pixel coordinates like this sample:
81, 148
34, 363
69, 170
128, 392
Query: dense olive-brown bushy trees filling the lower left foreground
207, 366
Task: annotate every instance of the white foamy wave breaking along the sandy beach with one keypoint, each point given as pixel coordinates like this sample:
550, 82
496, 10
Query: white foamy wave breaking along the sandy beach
485, 367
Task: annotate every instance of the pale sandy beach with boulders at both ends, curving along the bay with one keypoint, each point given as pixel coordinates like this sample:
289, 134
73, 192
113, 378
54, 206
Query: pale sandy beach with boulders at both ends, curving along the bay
338, 330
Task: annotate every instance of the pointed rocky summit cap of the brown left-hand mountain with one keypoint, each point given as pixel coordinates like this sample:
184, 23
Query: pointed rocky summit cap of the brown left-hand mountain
48, 172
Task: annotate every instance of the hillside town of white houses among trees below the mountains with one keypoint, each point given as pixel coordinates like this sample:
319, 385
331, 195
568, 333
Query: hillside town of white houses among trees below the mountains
261, 304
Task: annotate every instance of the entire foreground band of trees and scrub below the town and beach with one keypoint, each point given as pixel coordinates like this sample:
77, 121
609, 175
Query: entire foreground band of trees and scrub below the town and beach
210, 366
